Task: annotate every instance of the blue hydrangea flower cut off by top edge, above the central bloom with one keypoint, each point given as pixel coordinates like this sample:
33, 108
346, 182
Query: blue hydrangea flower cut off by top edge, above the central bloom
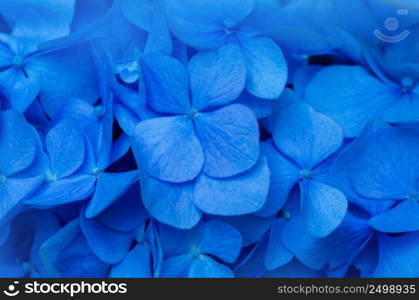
208, 25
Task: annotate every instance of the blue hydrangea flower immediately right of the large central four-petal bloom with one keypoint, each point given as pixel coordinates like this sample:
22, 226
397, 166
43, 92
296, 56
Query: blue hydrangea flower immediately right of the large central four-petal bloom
303, 140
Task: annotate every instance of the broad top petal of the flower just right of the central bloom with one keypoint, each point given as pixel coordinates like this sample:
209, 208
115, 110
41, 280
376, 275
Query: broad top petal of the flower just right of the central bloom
306, 136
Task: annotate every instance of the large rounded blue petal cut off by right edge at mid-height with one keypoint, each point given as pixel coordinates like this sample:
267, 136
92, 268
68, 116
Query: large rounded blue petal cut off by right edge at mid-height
386, 166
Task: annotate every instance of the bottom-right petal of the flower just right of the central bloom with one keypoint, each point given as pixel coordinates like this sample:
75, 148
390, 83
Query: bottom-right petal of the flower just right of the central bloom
322, 208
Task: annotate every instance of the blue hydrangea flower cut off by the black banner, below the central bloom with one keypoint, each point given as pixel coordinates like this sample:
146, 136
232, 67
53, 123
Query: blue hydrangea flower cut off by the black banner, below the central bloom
192, 253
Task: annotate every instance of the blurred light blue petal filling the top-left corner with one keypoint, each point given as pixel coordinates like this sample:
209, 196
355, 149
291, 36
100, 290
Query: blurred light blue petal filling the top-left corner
39, 19
